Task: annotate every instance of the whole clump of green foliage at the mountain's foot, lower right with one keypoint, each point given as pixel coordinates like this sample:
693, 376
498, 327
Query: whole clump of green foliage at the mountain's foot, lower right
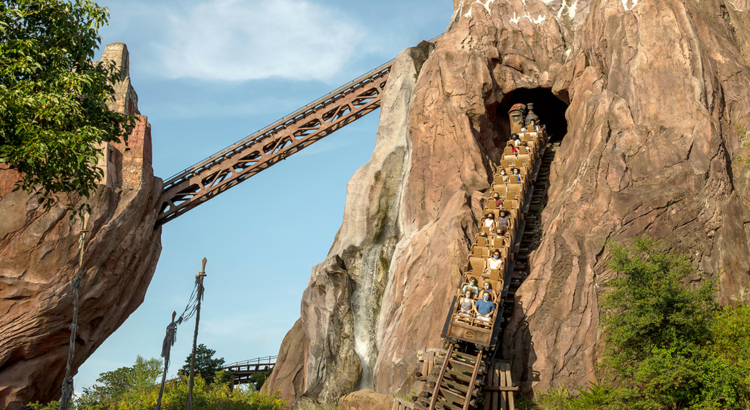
668, 344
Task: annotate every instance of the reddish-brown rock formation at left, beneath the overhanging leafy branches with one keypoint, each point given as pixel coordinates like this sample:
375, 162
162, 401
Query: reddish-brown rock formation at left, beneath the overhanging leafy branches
39, 259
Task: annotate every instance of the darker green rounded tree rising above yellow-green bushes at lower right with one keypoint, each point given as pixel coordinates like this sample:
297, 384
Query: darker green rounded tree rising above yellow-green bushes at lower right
650, 305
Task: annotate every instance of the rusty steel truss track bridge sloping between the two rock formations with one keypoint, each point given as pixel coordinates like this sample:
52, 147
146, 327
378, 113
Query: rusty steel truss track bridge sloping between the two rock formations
243, 159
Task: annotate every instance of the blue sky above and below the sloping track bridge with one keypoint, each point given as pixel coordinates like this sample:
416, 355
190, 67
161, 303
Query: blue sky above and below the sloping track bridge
207, 74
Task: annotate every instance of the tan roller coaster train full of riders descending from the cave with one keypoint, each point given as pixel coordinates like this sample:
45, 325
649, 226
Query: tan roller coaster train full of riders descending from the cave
513, 185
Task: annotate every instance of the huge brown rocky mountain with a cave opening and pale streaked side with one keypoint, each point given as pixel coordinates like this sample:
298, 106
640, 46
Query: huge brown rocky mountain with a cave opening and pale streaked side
654, 92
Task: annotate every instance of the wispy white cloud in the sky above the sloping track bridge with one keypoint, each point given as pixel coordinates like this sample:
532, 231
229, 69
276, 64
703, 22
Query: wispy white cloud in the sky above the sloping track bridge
232, 40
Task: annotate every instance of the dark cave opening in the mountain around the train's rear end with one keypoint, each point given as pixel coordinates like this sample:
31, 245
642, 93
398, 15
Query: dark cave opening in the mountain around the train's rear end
549, 108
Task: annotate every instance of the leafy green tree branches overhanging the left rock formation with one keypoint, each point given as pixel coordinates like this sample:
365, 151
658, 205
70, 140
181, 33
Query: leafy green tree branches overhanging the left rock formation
53, 96
